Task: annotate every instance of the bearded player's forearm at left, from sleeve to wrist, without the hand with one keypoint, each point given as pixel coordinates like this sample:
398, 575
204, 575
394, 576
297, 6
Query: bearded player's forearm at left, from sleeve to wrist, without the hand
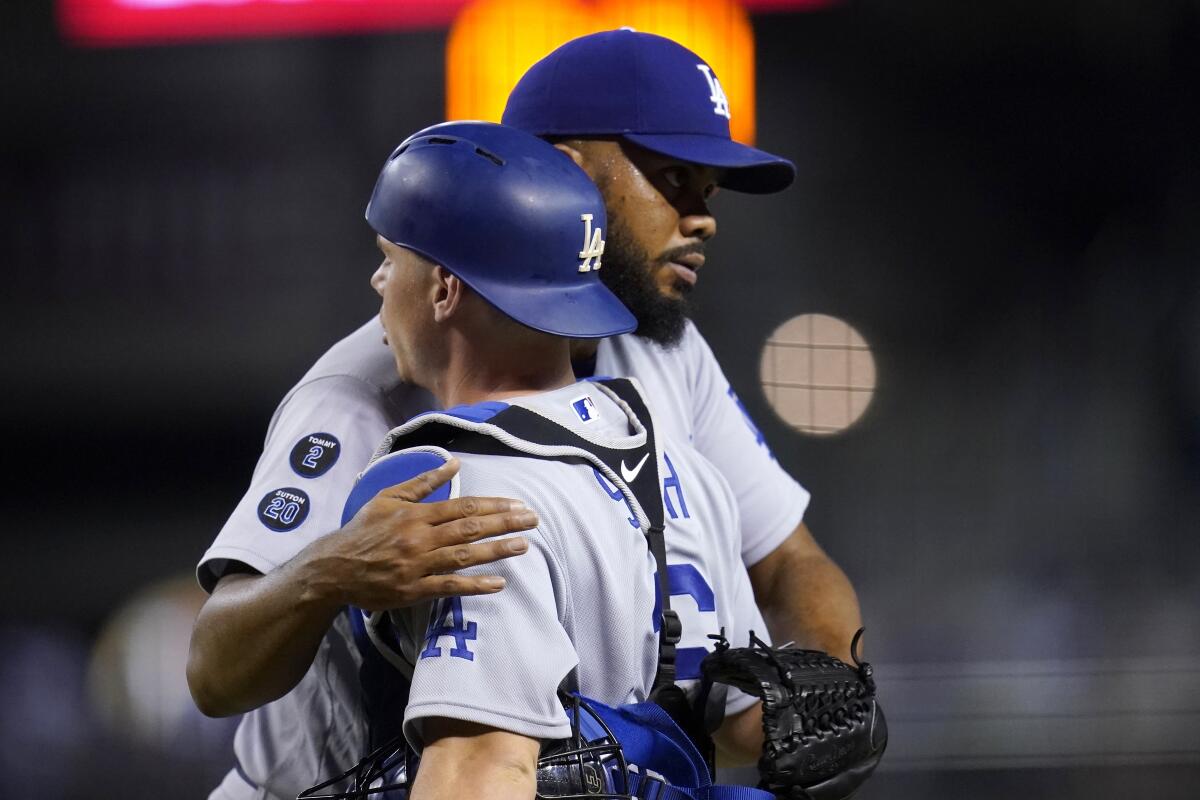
256, 637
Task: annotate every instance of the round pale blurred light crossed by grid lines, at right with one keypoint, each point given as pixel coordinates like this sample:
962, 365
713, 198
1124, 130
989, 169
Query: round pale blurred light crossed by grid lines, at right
818, 374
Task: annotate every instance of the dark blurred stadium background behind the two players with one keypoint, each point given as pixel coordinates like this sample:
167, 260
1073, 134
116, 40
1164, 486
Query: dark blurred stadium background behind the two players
1001, 197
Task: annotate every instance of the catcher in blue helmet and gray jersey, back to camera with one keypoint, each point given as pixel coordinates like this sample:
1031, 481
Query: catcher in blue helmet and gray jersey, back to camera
483, 292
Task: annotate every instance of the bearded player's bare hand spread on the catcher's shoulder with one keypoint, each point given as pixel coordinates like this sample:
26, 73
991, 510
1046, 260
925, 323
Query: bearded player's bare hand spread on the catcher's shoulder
398, 551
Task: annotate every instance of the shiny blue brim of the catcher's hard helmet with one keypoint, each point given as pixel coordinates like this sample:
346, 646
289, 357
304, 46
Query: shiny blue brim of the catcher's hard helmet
584, 312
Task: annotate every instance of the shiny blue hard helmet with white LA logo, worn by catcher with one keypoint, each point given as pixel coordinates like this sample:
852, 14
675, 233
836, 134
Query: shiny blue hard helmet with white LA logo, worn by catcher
512, 216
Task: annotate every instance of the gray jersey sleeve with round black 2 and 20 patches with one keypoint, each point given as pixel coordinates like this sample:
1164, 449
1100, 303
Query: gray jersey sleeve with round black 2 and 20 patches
319, 441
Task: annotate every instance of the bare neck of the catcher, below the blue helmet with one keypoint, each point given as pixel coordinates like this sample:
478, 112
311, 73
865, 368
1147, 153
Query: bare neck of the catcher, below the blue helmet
475, 375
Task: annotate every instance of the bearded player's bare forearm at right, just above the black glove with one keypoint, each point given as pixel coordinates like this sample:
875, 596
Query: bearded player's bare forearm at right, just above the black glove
806, 598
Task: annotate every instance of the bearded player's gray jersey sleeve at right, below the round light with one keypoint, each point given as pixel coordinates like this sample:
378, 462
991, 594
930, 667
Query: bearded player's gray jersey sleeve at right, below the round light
770, 502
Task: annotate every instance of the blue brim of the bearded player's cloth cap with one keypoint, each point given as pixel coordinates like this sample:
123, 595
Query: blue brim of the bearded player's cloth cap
747, 170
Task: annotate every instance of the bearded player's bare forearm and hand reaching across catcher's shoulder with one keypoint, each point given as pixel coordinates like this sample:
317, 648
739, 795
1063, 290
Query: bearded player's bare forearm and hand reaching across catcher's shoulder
257, 635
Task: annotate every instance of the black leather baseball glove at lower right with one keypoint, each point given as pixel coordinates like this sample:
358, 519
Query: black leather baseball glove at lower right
824, 731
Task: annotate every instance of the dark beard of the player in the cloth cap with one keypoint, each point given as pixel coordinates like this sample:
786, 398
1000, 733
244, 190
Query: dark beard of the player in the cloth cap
629, 274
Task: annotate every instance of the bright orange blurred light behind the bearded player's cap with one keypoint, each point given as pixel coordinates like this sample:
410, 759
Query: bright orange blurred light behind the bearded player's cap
493, 44
